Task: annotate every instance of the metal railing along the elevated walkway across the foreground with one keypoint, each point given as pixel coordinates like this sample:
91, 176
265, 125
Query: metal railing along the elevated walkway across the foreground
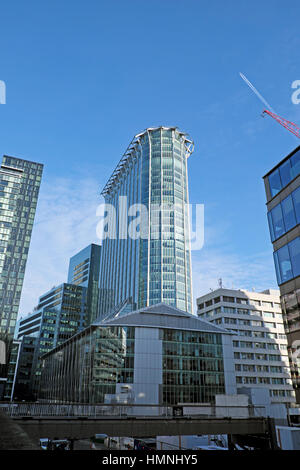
52, 410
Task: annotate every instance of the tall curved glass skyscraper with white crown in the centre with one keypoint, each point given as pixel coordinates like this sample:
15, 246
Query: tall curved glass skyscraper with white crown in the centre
146, 246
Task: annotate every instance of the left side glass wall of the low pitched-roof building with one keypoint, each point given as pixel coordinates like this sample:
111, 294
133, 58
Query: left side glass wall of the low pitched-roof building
89, 366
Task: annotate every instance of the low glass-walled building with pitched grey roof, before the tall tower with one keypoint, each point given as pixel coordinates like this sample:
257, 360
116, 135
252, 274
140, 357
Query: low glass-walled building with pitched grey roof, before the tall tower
157, 355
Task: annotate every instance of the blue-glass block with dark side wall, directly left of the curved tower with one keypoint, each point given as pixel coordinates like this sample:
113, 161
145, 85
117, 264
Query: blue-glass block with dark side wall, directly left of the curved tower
84, 270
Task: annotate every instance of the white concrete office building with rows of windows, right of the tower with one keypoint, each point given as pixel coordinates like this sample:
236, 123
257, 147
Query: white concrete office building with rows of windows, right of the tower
259, 341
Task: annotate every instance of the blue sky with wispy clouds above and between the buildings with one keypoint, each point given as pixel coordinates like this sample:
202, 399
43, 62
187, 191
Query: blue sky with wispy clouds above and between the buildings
83, 77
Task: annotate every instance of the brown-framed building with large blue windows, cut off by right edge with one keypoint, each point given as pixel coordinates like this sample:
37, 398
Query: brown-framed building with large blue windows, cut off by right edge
282, 185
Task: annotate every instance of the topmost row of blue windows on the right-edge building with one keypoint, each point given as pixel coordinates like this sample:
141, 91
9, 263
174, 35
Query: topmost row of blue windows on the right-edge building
284, 174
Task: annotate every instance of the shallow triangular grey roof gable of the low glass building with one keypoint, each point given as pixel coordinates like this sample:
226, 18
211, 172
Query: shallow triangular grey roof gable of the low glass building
163, 316
